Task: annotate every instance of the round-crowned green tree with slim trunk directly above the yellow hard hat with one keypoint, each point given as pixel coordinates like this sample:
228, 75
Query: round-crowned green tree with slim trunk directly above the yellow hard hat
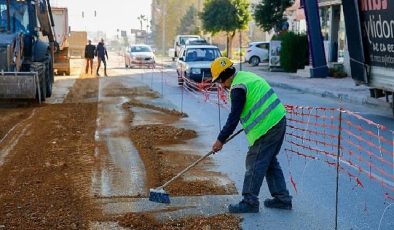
225, 15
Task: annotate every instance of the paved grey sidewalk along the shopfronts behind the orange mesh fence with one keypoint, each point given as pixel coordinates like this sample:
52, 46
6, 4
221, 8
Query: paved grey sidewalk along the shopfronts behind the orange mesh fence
335, 88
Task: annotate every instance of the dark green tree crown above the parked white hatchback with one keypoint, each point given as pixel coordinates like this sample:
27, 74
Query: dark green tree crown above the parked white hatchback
268, 14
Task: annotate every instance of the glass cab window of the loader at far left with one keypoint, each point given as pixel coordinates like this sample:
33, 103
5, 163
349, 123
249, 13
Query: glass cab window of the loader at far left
19, 16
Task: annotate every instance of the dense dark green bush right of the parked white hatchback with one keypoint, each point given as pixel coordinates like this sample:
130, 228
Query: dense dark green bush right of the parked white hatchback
294, 51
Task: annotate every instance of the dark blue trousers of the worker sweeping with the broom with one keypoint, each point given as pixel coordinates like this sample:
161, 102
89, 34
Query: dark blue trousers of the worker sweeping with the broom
261, 161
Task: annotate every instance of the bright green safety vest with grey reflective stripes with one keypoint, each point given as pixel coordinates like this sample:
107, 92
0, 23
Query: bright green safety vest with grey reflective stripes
262, 109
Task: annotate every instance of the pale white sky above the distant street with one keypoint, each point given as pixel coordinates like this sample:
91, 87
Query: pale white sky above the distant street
111, 14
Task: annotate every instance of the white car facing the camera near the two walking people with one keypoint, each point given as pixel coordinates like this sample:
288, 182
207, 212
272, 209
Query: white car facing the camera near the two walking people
139, 55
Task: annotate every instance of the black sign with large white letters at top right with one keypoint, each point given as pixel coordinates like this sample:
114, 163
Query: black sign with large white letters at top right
377, 23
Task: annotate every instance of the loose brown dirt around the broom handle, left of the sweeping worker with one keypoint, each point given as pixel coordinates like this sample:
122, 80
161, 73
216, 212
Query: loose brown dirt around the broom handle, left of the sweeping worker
162, 165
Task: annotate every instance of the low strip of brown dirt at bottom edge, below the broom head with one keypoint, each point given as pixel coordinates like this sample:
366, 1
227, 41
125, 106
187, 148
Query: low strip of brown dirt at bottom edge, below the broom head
147, 221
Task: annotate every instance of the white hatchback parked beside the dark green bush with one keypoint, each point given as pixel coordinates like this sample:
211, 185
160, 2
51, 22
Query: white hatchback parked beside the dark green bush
257, 52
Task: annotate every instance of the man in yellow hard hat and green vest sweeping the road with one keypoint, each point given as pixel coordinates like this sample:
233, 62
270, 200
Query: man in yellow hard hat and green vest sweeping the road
262, 115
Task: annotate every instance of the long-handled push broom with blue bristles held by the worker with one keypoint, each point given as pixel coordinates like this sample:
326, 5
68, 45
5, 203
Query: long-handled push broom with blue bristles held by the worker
160, 196
